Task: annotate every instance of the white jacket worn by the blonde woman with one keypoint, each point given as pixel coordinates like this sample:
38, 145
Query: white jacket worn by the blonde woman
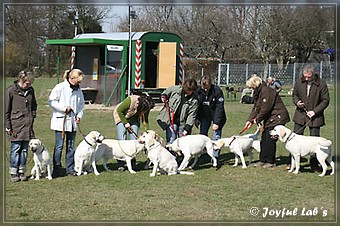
62, 95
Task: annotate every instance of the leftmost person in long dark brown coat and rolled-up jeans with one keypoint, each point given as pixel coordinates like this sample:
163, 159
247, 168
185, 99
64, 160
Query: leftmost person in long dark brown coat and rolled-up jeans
21, 107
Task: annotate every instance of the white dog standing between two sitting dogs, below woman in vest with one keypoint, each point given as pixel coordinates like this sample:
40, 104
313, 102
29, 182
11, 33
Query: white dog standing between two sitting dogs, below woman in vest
124, 150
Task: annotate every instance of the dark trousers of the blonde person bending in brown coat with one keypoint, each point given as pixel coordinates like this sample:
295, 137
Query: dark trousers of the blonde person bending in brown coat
268, 146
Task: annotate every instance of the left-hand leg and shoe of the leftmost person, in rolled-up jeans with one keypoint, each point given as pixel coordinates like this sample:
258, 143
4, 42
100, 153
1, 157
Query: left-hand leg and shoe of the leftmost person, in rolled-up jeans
14, 160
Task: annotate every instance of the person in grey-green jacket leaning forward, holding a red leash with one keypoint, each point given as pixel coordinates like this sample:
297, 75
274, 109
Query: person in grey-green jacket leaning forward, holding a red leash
178, 115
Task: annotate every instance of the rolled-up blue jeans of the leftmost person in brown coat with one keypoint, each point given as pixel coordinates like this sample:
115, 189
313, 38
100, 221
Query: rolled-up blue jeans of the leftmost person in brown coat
18, 157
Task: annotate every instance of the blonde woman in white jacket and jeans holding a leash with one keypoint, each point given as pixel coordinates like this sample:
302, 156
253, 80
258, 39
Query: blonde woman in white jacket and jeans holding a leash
67, 103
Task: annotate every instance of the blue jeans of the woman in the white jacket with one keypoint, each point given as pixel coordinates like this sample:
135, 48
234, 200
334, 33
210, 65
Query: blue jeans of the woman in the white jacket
58, 148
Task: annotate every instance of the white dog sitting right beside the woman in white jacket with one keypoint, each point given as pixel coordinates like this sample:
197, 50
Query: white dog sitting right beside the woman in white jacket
84, 154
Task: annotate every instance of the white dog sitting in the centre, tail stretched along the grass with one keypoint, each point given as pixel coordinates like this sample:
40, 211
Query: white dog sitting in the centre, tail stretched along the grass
161, 158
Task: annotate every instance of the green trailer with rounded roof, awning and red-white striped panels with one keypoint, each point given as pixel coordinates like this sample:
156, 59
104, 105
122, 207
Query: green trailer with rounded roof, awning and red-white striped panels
156, 63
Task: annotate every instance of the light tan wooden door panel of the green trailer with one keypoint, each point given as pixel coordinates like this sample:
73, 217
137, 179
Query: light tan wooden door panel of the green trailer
166, 64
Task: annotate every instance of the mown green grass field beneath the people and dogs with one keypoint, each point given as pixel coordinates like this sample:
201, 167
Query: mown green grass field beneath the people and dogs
226, 195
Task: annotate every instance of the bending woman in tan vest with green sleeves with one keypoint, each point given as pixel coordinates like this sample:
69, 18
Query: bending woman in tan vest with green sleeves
127, 117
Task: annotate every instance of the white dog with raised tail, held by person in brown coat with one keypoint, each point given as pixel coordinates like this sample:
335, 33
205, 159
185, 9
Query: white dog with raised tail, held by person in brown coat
240, 145
